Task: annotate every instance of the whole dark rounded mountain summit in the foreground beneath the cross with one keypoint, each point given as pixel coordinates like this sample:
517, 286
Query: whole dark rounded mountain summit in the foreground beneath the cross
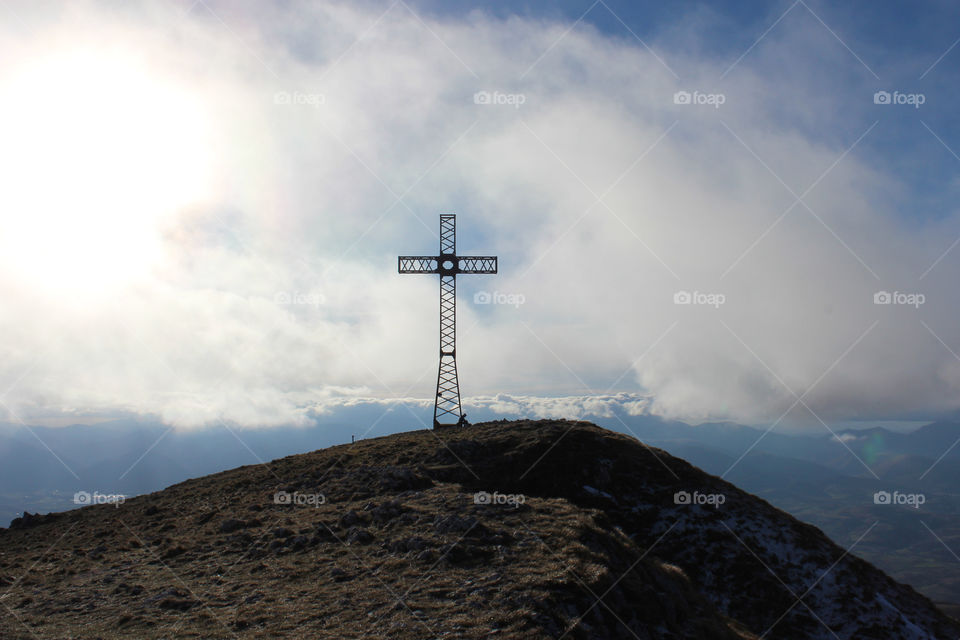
527, 529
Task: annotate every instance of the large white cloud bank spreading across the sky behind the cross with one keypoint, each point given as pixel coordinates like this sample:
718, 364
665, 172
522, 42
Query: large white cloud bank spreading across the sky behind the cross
305, 202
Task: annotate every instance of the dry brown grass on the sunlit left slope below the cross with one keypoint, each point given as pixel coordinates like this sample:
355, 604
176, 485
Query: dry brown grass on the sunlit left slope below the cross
392, 553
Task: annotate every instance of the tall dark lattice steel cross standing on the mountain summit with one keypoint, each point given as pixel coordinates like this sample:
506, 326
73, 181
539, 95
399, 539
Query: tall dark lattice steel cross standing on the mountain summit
448, 264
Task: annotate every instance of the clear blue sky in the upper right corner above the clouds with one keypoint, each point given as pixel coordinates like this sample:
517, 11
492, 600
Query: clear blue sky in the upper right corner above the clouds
907, 46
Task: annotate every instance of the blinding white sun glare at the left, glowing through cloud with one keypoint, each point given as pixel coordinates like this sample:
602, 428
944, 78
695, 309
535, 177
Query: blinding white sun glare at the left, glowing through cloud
95, 154
